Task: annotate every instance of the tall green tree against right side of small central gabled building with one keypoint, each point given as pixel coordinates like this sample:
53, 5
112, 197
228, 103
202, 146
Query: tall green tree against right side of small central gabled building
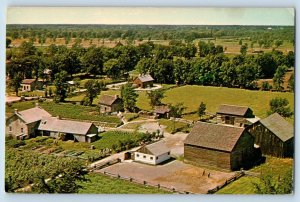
129, 96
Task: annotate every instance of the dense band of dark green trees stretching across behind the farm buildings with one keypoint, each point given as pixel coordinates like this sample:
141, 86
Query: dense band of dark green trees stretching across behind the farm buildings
175, 63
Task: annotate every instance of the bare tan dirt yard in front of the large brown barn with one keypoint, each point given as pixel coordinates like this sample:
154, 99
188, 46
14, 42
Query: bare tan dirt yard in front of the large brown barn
174, 174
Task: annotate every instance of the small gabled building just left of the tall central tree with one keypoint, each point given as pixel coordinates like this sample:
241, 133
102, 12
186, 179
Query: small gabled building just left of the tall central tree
109, 104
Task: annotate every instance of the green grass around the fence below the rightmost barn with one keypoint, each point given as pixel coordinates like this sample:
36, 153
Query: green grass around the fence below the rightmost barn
244, 185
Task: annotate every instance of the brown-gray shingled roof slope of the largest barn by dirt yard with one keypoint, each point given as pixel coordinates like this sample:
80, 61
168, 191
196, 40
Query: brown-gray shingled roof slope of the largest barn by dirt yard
214, 136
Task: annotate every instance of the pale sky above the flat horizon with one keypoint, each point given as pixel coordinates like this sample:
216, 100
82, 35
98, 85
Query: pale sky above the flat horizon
150, 15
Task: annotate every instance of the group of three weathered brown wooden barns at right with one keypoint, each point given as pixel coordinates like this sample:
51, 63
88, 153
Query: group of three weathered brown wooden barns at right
238, 139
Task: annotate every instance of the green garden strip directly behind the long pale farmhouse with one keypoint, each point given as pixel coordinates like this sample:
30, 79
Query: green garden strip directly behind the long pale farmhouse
66, 110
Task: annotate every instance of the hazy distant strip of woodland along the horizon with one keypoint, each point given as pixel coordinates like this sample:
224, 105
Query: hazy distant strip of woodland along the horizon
140, 32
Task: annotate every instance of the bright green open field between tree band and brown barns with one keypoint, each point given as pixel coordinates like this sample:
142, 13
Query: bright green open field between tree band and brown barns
215, 96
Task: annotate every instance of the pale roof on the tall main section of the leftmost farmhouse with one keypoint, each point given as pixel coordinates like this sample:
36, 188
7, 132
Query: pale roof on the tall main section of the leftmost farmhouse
33, 114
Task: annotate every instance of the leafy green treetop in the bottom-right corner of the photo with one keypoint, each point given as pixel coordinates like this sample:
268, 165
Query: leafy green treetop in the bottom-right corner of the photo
270, 184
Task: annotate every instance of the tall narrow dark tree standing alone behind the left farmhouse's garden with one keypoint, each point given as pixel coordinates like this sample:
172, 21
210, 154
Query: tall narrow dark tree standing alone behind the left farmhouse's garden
61, 86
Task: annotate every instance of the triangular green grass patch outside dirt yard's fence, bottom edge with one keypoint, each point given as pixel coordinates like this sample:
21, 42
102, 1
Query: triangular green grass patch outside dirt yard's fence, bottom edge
100, 184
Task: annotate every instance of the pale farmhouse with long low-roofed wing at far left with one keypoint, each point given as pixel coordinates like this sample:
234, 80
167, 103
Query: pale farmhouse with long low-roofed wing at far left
37, 121
